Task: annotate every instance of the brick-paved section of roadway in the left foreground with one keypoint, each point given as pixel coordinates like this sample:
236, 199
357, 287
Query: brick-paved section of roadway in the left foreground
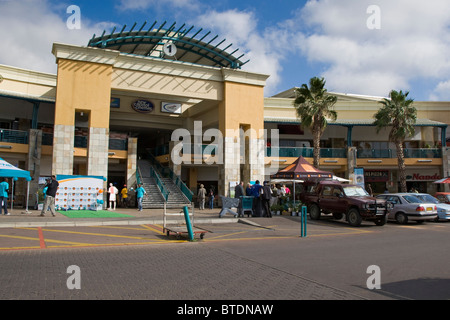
191, 271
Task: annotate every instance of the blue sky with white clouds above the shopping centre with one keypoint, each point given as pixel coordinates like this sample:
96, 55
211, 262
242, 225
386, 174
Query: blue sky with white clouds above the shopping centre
402, 45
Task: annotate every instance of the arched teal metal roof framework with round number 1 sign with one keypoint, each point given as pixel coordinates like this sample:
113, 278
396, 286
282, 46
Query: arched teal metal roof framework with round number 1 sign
150, 43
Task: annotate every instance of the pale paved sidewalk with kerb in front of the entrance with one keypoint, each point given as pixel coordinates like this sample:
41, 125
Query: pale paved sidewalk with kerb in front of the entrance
21, 218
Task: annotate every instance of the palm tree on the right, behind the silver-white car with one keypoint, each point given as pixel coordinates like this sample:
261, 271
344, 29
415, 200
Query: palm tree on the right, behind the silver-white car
398, 113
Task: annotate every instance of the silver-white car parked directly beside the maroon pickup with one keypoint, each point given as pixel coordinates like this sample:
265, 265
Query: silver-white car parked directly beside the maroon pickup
407, 206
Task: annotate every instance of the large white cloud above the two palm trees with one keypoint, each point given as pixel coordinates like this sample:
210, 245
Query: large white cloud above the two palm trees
412, 44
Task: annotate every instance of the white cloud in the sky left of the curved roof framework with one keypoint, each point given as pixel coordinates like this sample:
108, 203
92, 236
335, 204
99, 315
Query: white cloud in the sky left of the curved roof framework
33, 26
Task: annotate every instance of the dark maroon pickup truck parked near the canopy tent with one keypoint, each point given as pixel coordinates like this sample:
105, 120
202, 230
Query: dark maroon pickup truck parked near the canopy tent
333, 197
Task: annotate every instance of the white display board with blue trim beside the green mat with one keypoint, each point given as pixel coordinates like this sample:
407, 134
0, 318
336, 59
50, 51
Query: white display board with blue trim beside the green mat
79, 193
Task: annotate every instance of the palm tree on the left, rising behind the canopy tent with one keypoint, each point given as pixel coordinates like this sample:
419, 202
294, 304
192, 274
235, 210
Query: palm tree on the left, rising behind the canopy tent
313, 106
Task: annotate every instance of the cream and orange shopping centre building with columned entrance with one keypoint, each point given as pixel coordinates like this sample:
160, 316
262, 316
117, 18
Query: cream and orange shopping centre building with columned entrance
140, 94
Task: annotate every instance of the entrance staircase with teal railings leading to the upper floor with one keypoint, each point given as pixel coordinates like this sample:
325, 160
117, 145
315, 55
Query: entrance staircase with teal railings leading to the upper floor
176, 198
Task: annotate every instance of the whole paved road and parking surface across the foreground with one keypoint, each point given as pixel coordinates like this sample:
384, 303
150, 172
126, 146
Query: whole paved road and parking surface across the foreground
239, 261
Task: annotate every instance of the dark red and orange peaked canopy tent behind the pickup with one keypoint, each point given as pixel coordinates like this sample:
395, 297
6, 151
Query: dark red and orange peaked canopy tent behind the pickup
301, 169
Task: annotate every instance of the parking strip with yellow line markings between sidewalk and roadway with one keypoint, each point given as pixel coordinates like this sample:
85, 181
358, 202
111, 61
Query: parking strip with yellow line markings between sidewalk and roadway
247, 229
